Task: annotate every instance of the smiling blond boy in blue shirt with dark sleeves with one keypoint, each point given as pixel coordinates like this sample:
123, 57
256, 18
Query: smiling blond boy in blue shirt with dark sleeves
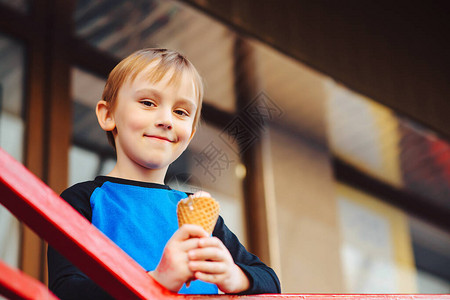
150, 108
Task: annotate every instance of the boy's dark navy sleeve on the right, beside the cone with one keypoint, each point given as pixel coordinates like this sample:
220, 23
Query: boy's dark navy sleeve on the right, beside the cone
263, 279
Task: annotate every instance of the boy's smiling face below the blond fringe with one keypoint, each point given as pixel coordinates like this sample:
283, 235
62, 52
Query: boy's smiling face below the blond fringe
153, 121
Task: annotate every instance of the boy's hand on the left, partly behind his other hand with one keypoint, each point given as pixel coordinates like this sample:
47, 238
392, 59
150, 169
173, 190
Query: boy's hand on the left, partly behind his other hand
173, 271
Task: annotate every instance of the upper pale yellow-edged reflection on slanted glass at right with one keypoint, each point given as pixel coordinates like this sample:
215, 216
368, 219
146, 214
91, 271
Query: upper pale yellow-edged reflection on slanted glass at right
365, 134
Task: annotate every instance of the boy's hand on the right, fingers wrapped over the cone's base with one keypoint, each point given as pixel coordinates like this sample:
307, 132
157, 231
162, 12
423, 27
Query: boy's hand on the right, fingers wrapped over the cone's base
212, 262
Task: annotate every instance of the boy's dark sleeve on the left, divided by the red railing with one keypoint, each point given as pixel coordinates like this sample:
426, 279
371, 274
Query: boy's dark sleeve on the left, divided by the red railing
65, 280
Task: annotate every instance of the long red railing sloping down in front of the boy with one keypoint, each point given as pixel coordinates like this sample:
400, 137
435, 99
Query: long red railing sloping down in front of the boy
34, 203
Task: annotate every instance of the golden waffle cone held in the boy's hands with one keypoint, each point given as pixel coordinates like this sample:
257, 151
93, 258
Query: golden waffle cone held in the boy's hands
203, 211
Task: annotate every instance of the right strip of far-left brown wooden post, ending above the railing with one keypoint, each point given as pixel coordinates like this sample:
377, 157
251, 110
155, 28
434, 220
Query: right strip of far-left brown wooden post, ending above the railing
59, 105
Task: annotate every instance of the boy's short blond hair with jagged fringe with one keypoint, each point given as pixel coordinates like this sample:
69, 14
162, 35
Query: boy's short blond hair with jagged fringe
166, 61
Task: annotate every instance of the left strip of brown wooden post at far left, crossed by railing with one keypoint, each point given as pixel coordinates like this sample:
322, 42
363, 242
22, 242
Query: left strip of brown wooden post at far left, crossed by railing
31, 260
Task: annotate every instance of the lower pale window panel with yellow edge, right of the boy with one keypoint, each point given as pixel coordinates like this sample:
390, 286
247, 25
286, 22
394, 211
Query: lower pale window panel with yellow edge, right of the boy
376, 253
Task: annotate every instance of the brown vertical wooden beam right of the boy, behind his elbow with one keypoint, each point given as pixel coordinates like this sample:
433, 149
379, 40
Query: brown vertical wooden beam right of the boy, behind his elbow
248, 137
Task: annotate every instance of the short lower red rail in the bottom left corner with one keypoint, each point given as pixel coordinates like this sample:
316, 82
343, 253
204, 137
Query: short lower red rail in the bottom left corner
15, 284
